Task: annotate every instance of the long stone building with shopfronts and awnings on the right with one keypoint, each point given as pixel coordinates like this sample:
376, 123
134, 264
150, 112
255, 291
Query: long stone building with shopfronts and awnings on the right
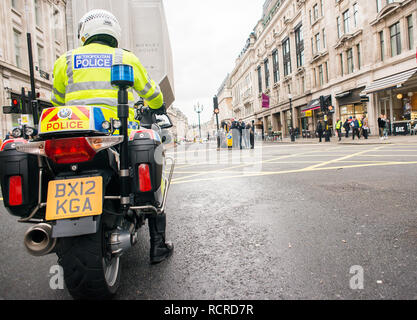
360, 55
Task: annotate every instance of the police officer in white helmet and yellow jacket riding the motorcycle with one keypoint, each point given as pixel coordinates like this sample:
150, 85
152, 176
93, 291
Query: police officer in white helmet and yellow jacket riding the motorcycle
82, 77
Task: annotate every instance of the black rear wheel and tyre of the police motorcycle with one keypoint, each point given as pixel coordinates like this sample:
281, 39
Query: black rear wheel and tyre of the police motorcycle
89, 271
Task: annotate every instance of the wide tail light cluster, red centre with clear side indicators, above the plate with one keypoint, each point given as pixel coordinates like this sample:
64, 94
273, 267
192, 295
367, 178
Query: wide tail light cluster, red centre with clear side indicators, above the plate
70, 150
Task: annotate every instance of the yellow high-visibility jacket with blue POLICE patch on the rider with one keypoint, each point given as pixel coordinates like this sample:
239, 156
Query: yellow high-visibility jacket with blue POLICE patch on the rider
82, 77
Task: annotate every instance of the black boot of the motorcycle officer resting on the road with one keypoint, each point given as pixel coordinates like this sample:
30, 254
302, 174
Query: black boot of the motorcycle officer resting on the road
160, 249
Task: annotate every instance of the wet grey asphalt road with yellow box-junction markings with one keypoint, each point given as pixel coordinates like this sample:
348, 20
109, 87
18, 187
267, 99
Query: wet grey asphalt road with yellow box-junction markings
277, 222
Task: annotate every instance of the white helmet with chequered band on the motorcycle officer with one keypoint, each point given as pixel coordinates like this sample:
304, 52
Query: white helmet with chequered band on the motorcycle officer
98, 22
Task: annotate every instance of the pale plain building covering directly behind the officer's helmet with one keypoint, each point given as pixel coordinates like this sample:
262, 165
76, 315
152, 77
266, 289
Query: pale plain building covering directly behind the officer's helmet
145, 33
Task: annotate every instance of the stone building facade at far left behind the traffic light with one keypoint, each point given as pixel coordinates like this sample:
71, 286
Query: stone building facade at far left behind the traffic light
46, 22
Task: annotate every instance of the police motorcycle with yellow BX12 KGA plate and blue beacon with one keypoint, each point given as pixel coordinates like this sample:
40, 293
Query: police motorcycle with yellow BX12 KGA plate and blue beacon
87, 189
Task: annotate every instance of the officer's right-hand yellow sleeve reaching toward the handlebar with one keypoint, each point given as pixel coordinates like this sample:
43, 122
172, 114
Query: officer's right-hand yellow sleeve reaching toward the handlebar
144, 85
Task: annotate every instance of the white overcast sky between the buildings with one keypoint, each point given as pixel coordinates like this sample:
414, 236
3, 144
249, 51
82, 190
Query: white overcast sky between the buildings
206, 38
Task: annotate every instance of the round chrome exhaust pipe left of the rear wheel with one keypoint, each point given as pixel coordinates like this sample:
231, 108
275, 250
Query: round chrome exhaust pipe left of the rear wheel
38, 240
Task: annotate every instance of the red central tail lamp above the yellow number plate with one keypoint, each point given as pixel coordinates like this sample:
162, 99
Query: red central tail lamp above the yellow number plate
71, 150
